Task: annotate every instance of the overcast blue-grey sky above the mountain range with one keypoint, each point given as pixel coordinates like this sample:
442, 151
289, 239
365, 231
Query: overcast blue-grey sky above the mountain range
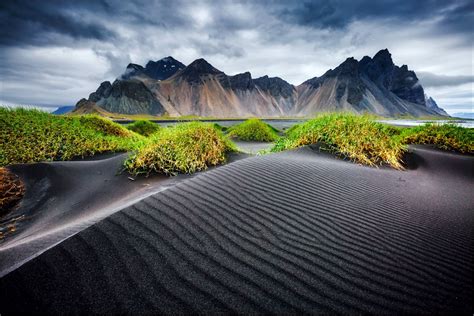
55, 52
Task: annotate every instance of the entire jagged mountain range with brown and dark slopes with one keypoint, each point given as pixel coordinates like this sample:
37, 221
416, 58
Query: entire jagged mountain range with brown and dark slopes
168, 87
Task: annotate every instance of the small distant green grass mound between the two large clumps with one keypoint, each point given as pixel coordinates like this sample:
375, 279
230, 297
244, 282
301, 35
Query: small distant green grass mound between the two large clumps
253, 130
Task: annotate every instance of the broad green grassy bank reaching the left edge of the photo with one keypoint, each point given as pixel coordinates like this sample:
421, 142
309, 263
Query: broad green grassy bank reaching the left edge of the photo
32, 136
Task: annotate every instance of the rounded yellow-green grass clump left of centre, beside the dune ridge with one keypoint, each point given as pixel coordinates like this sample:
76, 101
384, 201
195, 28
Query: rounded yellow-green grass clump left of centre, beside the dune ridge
183, 148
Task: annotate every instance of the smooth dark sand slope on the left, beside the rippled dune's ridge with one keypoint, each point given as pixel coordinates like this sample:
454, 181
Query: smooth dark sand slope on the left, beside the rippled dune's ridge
63, 198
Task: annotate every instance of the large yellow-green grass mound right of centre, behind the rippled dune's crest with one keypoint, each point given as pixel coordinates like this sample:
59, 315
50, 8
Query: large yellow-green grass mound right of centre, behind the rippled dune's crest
358, 138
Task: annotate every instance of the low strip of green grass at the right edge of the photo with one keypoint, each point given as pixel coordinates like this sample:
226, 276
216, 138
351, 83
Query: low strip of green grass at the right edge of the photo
444, 136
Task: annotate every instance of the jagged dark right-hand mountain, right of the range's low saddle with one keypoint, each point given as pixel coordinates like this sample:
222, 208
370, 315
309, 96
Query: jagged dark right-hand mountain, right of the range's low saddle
372, 85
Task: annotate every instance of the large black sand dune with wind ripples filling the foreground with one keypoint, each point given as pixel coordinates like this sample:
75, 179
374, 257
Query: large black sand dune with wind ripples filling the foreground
295, 232
